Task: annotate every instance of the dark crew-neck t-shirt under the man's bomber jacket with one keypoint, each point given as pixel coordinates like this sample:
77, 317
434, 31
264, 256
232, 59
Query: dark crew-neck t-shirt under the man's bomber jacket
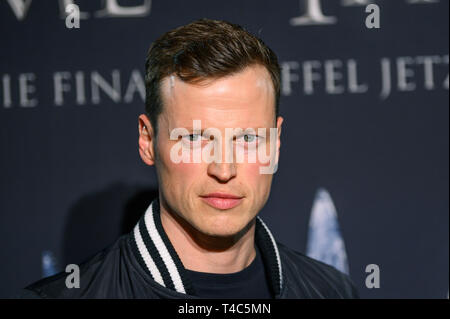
251, 282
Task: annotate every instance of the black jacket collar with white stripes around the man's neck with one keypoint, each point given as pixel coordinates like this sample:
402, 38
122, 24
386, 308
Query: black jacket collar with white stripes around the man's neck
157, 256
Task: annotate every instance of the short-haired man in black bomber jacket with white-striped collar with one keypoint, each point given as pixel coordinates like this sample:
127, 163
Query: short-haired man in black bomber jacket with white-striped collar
212, 116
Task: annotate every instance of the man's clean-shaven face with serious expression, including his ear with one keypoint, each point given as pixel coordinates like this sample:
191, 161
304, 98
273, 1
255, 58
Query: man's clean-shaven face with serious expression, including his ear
244, 100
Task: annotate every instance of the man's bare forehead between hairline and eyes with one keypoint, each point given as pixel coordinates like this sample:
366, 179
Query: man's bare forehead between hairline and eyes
244, 99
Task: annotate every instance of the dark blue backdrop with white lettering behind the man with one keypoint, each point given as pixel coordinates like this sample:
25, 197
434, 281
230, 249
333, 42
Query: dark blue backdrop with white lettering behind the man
377, 141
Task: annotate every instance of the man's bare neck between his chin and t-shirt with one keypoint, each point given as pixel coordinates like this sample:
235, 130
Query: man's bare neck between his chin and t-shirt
205, 253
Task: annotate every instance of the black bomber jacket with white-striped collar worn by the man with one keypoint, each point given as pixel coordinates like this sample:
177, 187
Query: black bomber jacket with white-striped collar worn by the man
143, 264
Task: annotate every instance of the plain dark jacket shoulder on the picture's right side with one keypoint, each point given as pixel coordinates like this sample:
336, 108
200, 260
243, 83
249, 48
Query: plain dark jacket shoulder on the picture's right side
312, 278
